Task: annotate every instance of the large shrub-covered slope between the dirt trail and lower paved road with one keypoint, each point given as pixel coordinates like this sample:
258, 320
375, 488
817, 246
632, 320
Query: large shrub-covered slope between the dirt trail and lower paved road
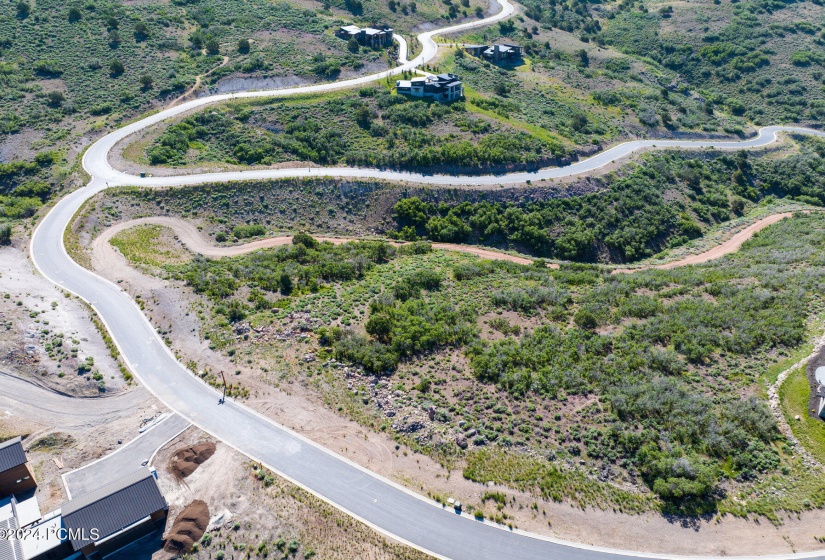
661, 357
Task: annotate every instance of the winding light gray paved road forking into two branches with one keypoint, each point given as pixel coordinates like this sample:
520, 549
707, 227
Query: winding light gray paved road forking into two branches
380, 503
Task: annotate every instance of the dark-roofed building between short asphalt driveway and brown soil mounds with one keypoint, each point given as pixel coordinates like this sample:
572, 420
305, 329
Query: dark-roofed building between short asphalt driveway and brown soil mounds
114, 515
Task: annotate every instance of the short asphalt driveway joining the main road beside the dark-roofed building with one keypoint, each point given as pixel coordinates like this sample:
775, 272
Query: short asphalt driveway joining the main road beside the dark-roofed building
125, 460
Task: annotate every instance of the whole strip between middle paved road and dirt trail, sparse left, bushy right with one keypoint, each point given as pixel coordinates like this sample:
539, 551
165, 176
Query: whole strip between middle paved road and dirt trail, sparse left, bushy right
660, 202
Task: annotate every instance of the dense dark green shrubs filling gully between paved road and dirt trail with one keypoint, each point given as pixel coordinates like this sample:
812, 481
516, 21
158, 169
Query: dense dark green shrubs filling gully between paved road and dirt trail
663, 202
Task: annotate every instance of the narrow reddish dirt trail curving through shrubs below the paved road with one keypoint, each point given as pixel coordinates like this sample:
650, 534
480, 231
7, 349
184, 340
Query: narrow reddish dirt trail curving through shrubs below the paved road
196, 242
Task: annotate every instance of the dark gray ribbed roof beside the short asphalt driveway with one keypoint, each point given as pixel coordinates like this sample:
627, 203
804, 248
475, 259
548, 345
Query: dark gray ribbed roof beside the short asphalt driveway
113, 507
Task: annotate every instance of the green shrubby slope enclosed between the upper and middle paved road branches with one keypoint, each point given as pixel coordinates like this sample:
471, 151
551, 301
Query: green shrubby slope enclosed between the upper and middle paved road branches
371, 128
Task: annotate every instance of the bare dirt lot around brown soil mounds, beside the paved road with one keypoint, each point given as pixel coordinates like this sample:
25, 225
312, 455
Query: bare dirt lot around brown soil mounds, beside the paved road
252, 511
